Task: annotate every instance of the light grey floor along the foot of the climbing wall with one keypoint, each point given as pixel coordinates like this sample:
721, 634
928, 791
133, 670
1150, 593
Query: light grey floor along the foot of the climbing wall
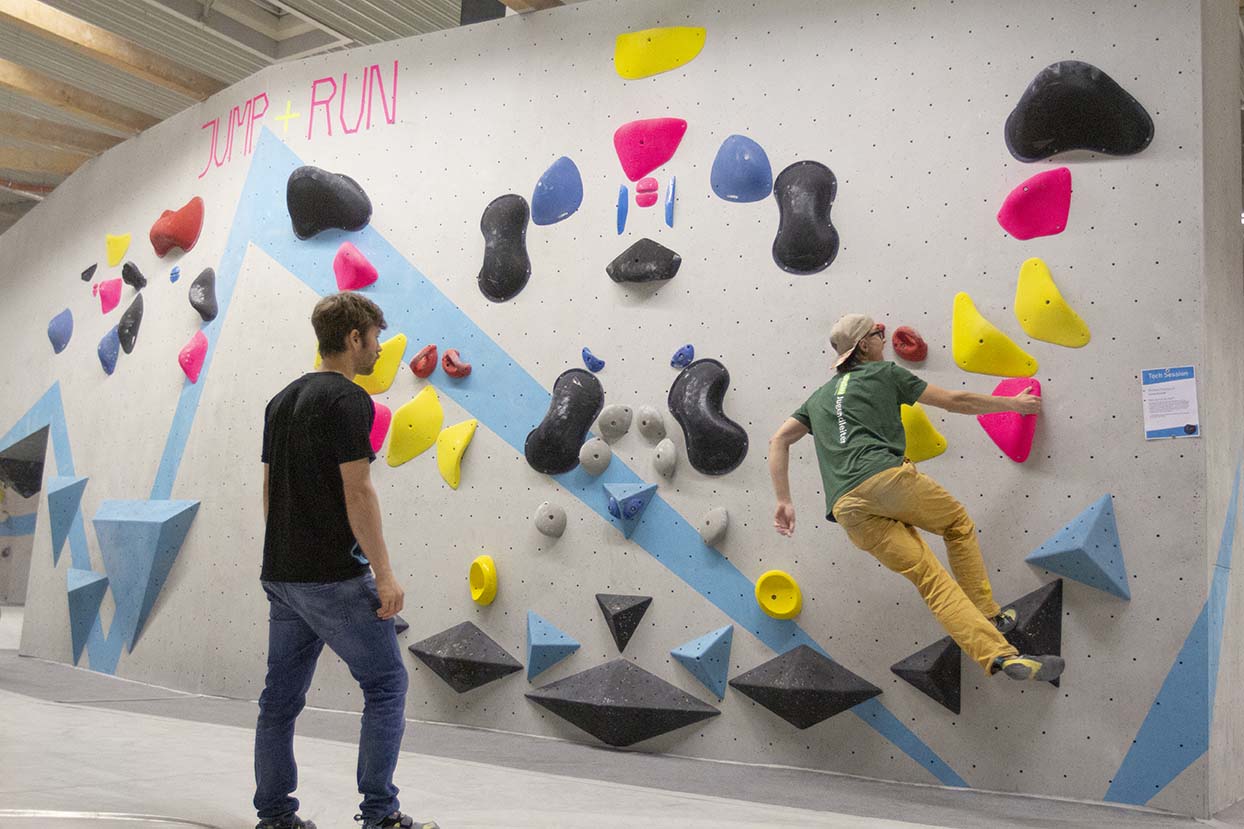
111, 746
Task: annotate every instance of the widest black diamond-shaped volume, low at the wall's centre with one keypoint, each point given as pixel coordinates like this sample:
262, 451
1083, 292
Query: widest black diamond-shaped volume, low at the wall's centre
620, 704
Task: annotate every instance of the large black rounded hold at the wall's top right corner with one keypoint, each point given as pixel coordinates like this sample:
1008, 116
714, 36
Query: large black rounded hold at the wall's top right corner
1073, 105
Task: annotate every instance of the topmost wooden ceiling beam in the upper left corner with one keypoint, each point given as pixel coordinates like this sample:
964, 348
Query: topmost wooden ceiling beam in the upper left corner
105, 47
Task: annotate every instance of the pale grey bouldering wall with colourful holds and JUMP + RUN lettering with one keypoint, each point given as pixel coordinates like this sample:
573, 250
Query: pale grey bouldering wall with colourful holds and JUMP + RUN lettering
610, 242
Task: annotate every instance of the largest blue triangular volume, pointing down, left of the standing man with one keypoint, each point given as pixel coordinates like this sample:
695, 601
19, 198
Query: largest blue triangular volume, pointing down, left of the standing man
140, 542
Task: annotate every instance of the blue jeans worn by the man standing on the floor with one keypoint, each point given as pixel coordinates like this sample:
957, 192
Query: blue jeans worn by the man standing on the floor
302, 619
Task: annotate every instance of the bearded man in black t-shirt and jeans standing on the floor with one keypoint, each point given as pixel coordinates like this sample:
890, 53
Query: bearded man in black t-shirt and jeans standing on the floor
323, 545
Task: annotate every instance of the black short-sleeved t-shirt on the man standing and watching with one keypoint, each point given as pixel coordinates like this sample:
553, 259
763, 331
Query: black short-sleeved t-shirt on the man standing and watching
313, 426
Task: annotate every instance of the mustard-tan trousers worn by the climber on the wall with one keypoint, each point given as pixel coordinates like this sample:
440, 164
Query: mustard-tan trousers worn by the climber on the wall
883, 515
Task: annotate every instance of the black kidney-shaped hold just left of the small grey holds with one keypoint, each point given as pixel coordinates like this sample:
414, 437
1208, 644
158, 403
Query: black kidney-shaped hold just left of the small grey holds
553, 447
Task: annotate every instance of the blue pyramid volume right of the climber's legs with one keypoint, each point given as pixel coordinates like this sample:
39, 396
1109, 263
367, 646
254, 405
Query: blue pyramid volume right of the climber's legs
1088, 551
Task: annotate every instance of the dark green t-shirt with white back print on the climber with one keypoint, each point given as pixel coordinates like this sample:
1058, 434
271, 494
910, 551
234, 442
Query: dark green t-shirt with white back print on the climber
858, 425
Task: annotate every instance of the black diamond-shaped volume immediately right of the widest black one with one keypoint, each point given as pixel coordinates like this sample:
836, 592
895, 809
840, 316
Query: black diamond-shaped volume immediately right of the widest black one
804, 688
